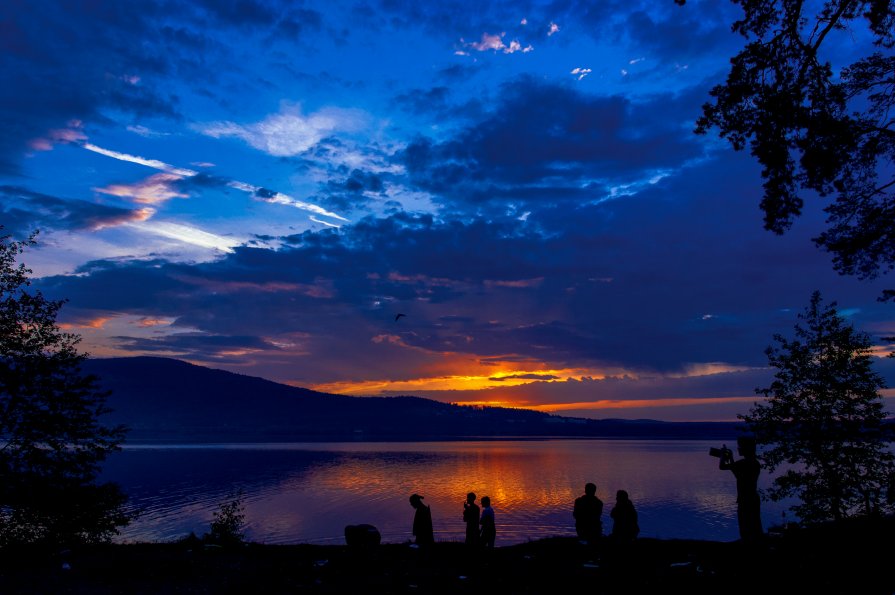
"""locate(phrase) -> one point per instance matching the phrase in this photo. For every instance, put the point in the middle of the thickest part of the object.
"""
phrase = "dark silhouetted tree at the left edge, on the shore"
(52, 441)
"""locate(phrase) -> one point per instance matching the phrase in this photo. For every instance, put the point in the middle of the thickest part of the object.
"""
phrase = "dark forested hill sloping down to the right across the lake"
(162, 399)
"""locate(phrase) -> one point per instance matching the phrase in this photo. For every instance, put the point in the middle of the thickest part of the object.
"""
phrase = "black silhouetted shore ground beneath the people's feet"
(857, 558)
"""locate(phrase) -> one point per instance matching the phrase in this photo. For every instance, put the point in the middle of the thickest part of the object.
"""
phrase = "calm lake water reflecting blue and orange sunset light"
(308, 492)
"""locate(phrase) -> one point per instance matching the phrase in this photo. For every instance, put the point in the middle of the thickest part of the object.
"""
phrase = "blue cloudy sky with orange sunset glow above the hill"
(263, 186)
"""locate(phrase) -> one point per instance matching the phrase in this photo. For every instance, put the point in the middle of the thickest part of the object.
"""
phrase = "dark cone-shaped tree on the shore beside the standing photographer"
(823, 420)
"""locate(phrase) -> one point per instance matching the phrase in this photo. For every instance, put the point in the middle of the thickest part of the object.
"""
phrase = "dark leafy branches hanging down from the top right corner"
(816, 127)
